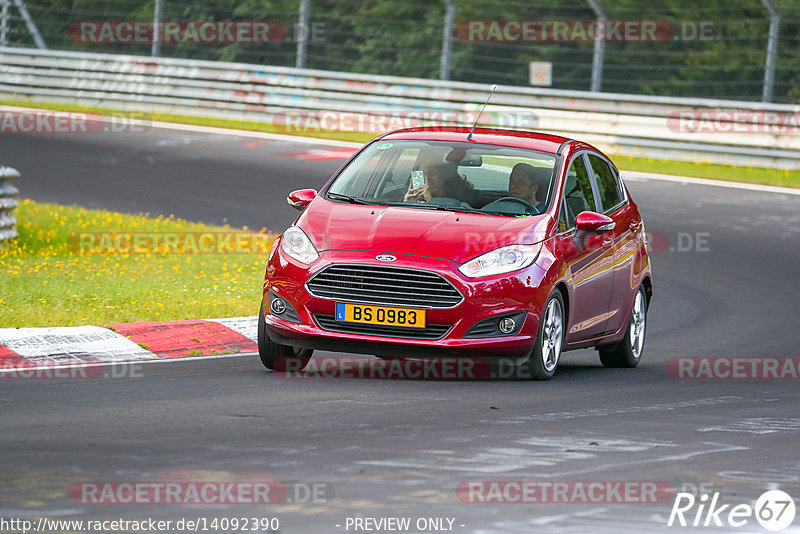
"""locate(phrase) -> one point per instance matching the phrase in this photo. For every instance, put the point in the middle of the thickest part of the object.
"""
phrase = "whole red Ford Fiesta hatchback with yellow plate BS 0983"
(441, 242)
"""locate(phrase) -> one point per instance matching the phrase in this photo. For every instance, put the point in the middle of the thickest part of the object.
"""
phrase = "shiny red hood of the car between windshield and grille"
(418, 231)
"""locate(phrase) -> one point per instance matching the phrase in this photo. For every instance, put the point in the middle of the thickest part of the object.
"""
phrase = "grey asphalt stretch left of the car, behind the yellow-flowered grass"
(216, 179)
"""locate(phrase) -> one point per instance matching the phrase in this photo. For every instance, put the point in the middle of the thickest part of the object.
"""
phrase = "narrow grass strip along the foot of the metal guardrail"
(755, 175)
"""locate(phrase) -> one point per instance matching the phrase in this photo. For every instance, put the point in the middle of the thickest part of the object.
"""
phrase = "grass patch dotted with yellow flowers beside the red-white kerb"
(49, 279)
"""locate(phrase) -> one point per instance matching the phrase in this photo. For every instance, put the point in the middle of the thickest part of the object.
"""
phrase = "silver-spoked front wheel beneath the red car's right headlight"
(546, 352)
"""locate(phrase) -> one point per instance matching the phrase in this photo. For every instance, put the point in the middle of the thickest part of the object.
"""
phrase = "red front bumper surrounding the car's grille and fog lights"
(483, 298)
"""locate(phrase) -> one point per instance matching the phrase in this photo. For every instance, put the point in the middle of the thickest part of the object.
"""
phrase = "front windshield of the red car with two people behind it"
(456, 176)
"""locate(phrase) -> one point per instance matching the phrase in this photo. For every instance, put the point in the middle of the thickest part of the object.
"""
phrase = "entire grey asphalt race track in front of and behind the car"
(399, 448)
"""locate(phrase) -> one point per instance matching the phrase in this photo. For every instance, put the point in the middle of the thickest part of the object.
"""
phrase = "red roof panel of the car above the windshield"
(492, 136)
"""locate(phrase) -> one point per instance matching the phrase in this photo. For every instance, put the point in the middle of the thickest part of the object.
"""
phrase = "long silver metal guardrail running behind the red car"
(619, 124)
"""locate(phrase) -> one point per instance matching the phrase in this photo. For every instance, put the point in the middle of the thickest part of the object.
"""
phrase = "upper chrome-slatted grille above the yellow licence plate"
(390, 286)
